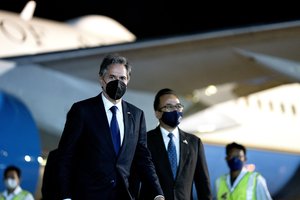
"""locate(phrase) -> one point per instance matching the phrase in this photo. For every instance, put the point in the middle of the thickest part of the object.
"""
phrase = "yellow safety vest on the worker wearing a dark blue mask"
(245, 189)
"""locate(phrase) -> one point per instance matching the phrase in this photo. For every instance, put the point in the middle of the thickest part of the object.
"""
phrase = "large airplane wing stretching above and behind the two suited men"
(191, 63)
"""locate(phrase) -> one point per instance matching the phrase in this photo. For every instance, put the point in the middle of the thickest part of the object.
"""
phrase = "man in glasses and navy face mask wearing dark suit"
(188, 154)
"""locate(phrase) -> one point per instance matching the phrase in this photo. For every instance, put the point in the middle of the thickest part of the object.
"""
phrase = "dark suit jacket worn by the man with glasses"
(192, 167)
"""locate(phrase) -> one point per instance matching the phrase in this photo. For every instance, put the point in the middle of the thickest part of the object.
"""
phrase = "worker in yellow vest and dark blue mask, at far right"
(240, 183)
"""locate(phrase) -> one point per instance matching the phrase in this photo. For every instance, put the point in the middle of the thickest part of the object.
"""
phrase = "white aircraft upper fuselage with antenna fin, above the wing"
(23, 34)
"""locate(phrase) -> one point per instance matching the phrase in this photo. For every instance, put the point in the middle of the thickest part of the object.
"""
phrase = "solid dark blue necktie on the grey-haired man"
(114, 128)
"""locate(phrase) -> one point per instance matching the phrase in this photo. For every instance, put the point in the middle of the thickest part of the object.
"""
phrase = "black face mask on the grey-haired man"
(116, 89)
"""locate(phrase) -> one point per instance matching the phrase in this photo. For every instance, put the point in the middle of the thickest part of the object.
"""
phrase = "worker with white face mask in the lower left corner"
(13, 191)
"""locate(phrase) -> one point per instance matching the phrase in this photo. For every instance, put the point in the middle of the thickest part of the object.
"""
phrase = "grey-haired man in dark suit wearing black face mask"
(99, 143)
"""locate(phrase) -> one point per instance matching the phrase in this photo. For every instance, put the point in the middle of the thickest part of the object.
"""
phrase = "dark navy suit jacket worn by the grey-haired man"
(88, 166)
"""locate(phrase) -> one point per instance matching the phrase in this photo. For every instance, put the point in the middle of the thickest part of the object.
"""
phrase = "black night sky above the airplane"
(160, 18)
